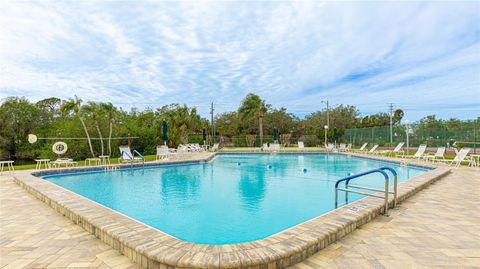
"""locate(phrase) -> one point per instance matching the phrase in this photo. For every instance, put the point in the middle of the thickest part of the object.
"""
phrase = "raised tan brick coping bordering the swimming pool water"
(152, 248)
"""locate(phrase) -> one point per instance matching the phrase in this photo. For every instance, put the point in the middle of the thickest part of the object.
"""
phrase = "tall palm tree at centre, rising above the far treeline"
(254, 106)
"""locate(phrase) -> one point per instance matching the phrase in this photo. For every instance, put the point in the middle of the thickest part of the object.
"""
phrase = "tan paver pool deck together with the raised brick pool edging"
(426, 231)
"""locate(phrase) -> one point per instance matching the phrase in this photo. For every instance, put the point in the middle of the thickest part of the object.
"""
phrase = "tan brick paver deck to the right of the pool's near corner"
(437, 228)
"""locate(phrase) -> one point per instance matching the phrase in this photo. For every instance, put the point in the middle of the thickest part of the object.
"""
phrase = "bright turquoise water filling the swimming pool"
(234, 198)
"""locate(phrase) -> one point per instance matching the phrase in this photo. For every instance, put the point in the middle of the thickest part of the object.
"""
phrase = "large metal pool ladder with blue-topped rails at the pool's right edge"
(347, 189)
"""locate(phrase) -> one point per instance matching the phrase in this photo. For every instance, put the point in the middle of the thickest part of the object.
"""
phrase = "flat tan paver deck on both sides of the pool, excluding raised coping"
(438, 227)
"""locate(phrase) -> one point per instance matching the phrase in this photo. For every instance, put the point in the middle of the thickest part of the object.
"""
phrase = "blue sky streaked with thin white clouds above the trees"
(422, 56)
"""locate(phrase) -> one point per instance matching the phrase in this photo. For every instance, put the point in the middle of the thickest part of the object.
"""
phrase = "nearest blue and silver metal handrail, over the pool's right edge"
(349, 178)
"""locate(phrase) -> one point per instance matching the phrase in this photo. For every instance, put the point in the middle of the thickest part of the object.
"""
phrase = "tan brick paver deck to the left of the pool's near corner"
(32, 235)
